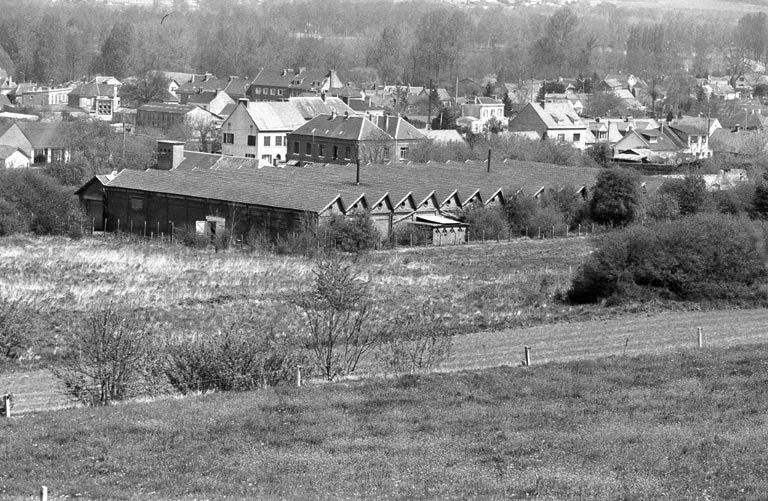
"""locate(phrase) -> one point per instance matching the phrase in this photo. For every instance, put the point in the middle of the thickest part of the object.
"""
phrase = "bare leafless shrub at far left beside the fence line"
(107, 355)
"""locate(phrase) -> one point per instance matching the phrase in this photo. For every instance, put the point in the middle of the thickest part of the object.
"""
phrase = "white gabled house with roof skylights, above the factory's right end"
(553, 123)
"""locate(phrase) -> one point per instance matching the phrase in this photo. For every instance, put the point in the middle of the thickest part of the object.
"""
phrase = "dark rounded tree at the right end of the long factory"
(616, 197)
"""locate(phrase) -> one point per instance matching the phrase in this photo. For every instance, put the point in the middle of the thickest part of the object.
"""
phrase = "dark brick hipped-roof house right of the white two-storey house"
(339, 139)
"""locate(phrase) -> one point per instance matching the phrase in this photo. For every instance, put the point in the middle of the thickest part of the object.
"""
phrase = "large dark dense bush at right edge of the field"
(702, 257)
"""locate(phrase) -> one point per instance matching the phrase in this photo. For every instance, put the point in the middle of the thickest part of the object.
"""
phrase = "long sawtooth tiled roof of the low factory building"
(313, 188)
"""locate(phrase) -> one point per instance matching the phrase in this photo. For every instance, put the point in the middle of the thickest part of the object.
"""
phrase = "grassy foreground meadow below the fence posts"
(689, 425)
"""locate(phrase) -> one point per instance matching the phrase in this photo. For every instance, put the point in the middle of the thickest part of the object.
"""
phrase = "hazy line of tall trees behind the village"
(408, 42)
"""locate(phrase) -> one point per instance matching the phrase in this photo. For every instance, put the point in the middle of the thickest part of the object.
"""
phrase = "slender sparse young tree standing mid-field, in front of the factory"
(337, 311)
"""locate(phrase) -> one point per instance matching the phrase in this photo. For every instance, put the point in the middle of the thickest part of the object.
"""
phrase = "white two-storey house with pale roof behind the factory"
(259, 130)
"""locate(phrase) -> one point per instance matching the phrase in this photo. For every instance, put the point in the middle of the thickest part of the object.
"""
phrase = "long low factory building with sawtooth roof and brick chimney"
(211, 192)
